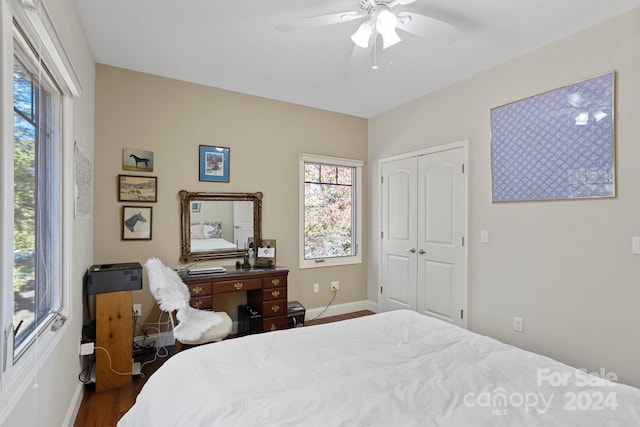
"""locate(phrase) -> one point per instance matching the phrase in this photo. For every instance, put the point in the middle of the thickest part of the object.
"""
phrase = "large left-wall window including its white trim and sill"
(36, 151)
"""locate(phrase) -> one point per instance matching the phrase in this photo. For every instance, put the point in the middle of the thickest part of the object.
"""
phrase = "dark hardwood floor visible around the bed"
(106, 408)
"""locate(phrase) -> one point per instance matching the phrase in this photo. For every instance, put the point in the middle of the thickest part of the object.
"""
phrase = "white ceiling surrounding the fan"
(234, 45)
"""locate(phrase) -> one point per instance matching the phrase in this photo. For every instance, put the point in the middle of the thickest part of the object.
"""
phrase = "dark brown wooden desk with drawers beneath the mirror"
(266, 291)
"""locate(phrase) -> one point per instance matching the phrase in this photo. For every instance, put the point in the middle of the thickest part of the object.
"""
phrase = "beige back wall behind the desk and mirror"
(172, 118)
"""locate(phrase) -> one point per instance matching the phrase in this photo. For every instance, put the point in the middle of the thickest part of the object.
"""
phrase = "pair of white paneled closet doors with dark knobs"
(423, 221)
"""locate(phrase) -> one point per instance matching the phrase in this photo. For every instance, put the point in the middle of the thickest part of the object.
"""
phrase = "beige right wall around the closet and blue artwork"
(565, 267)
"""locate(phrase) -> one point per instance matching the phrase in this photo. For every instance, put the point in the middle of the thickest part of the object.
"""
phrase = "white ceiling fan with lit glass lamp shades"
(381, 18)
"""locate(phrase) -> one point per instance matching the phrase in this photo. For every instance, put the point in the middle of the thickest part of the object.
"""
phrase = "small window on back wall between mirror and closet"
(330, 211)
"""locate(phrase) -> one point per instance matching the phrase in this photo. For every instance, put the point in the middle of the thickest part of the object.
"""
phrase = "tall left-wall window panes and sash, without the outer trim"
(37, 106)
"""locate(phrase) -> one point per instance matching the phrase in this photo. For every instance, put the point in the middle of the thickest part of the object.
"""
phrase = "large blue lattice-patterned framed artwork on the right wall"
(556, 145)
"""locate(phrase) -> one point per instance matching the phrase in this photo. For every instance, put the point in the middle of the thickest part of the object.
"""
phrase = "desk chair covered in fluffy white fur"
(190, 325)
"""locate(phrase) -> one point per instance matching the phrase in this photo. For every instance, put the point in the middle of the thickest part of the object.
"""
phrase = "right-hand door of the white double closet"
(441, 257)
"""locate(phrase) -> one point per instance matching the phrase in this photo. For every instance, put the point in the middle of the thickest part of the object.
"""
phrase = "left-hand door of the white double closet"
(399, 235)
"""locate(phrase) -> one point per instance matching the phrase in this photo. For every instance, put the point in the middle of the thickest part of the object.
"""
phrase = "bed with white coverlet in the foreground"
(397, 368)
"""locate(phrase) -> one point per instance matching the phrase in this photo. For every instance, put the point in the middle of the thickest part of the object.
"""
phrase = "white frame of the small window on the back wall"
(358, 165)
